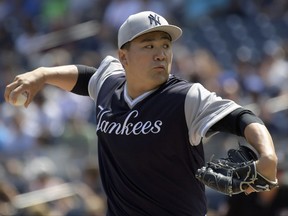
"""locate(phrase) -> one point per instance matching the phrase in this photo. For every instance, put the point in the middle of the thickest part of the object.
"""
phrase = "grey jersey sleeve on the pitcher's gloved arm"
(202, 110)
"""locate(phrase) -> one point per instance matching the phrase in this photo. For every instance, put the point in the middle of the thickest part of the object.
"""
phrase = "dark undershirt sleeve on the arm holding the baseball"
(84, 75)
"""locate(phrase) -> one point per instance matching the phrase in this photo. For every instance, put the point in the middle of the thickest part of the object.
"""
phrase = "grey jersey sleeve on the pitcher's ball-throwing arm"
(109, 66)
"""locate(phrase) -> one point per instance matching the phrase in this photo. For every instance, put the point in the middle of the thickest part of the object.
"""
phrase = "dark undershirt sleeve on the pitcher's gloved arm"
(236, 122)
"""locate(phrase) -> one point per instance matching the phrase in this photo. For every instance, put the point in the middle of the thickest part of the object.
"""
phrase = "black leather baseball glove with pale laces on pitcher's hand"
(234, 174)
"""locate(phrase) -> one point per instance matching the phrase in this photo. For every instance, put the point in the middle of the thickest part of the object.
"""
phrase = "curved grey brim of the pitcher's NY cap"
(174, 31)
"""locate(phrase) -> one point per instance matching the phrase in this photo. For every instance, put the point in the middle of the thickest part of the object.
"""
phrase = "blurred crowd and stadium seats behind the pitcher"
(236, 48)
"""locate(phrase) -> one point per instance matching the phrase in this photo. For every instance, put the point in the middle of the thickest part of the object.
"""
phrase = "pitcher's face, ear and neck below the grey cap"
(147, 62)
